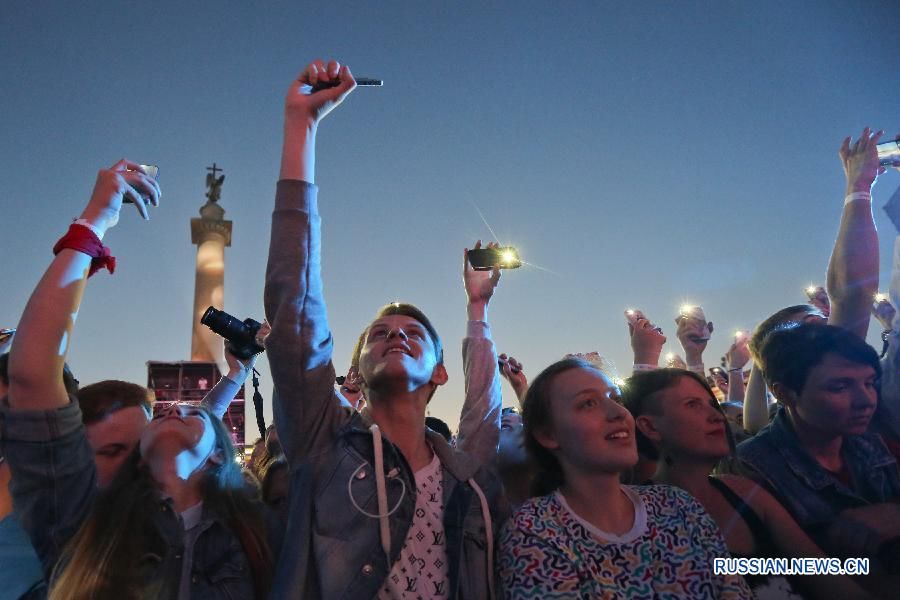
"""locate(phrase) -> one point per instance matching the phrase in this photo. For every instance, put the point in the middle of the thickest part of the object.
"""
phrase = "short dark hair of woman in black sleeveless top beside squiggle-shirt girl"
(640, 395)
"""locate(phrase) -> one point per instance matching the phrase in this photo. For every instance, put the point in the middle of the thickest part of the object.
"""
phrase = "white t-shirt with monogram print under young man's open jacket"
(421, 569)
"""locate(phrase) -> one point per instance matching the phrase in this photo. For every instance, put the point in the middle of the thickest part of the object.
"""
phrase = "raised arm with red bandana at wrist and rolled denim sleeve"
(53, 471)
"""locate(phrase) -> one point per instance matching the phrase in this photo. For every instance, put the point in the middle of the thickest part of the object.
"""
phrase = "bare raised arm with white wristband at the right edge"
(853, 268)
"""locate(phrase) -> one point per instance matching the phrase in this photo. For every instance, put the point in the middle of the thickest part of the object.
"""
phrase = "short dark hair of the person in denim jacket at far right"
(789, 353)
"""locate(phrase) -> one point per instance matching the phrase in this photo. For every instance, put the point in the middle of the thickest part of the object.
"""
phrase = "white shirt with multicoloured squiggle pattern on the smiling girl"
(547, 551)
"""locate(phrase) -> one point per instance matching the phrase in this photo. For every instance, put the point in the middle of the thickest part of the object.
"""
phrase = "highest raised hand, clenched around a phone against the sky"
(308, 102)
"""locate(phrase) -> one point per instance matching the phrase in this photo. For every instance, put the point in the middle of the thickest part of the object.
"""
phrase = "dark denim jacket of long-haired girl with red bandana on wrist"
(54, 484)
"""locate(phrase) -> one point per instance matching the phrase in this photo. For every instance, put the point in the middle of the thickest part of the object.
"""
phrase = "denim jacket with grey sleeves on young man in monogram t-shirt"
(332, 547)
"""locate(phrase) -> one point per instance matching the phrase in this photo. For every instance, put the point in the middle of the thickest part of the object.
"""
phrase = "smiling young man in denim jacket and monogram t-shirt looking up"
(379, 506)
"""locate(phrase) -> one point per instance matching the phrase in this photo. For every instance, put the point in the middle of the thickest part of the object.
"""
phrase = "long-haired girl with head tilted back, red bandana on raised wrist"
(177, 521)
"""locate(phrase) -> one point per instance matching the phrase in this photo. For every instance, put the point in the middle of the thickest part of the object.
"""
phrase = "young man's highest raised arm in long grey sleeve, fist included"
(300, 345)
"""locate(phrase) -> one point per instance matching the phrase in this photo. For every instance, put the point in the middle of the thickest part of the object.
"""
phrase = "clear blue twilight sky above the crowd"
(643, 154)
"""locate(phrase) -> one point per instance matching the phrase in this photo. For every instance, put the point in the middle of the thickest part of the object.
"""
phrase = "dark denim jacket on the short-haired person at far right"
(809, 492)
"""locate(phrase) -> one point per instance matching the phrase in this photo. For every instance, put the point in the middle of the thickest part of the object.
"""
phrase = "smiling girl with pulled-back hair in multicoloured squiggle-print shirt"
(589, 535)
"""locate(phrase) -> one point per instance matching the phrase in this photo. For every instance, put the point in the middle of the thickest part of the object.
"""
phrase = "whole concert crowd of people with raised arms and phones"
(588, 487)
